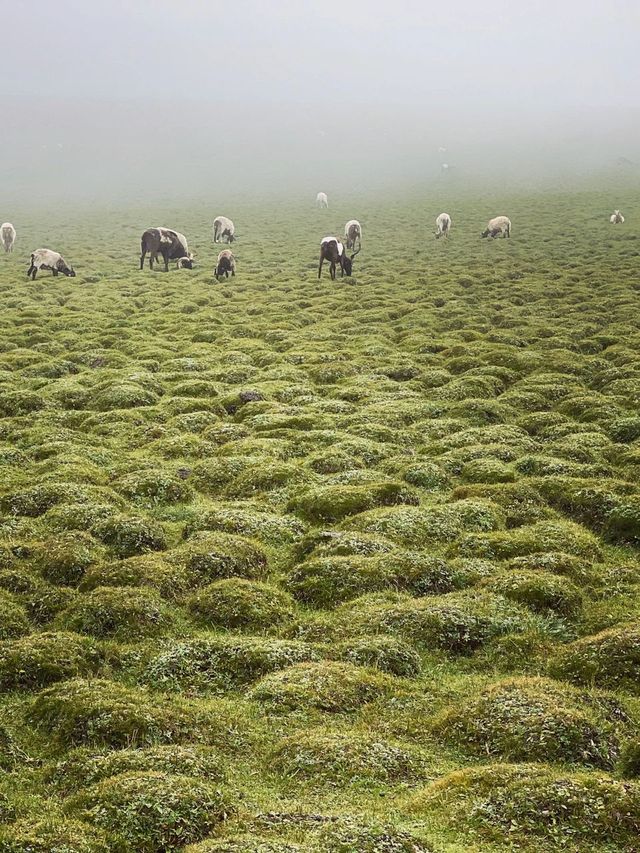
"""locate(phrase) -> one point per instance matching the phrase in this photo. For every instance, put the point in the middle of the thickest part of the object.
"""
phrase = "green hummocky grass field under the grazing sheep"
(294, 565)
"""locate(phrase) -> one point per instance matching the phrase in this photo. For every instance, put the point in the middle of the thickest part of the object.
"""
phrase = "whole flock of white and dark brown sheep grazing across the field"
(172, 245)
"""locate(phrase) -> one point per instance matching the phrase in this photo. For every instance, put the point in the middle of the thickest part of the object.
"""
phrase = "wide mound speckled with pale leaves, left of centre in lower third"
(220, 663)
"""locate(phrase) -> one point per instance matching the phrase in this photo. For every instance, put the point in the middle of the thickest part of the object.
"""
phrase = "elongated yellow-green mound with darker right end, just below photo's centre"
(333, 503)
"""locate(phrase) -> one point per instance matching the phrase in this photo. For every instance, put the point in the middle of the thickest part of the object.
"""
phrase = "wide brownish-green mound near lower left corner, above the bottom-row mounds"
(102, 713)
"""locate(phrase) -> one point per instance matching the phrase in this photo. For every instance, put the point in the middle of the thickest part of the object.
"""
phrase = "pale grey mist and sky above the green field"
(150, 100)
